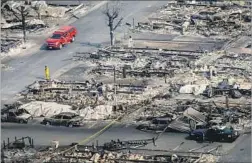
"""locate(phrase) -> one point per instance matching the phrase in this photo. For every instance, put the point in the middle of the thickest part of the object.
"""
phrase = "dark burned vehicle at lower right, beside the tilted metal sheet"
(215, 134)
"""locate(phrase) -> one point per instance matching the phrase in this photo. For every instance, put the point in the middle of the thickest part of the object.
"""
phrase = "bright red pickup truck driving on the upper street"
(61, 37)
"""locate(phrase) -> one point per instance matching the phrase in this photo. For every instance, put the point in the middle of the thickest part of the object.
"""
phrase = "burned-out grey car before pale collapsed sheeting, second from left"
(67, 119)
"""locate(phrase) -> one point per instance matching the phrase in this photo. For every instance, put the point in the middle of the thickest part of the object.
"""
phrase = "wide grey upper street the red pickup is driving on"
(92, 29)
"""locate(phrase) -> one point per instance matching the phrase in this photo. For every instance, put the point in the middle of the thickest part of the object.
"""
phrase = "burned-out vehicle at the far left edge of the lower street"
(15, 115)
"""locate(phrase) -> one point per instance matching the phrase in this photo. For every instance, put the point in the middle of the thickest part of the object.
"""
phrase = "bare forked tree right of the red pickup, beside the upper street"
(112, 13)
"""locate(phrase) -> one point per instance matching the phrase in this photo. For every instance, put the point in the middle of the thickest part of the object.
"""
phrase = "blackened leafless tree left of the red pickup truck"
(20, 13)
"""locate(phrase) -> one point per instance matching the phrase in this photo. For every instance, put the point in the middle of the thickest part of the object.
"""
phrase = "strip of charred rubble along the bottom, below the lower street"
(114, 151)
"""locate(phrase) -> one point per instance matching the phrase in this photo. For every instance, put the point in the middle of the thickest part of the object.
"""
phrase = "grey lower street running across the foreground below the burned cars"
(43, 135)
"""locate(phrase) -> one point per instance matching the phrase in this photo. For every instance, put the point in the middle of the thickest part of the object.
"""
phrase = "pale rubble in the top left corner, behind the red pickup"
(38, 15)
